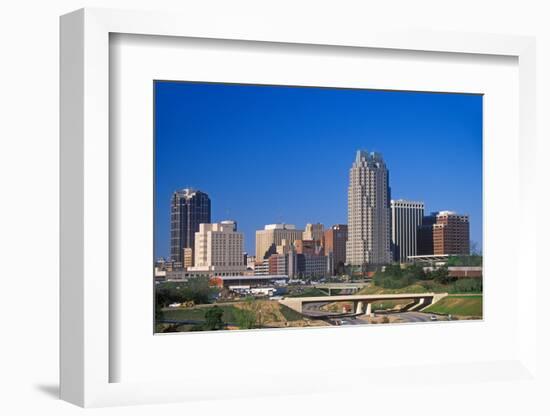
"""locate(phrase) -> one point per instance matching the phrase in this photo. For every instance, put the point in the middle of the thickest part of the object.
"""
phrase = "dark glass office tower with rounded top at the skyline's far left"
(188, 208)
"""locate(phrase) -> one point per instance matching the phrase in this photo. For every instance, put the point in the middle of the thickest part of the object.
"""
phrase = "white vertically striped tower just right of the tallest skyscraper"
(406, 218)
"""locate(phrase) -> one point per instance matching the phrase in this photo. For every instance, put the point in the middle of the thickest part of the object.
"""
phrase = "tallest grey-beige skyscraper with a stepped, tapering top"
(368, 242)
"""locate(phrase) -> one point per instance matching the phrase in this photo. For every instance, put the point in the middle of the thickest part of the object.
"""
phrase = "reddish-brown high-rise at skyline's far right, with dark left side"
(445, 233)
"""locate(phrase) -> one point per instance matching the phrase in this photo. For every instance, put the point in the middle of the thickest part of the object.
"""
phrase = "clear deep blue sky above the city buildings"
(268, 154)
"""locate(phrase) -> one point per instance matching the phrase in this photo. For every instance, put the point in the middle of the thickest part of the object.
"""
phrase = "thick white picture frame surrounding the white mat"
(86, 291)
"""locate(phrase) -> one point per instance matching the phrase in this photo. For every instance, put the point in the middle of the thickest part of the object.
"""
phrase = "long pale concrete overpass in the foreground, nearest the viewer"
(362, 304)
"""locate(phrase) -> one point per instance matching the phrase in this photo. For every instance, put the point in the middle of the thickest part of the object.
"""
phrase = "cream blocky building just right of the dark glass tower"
(219, 249)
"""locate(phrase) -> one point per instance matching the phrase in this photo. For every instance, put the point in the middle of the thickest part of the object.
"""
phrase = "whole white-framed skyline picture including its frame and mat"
(283, 206)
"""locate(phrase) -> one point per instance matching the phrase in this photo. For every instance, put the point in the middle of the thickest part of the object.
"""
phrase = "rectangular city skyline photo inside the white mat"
(261, 158)
